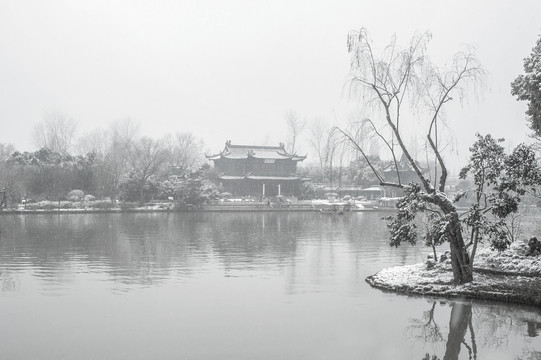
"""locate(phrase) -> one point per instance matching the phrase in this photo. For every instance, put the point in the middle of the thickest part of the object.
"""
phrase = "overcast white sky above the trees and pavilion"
(231, 69)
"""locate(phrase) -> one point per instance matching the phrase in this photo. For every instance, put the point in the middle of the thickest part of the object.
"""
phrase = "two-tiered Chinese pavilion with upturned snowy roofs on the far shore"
(257, 170)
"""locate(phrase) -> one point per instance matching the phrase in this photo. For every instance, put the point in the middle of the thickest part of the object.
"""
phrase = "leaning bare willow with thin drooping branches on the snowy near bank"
(393, 82)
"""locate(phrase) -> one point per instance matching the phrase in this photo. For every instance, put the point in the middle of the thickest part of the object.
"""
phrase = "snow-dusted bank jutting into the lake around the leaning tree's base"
(512, 275)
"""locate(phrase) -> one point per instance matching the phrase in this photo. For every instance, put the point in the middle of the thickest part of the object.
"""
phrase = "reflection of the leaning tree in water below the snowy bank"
(497, 327)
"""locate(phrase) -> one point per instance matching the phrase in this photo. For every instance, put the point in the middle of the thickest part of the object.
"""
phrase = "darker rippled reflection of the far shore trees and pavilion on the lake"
(148, 249)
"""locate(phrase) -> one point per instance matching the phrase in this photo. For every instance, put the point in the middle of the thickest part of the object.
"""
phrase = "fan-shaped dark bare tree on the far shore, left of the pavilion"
(146, 157)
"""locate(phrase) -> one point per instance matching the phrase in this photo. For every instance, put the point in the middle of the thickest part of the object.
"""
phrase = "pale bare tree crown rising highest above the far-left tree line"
(56, 132)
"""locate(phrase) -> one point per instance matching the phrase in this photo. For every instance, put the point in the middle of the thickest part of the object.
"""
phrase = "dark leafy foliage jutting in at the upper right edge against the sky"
(527, 87)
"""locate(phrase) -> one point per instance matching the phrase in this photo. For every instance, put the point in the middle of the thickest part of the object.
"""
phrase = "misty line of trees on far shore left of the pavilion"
(115, 164)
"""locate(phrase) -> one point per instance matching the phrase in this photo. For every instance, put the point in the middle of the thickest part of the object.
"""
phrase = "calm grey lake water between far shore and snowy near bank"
(231, 286)
